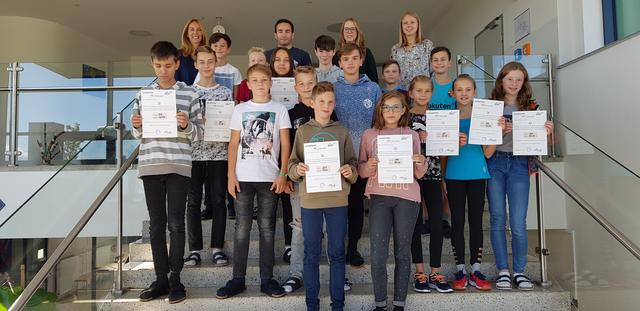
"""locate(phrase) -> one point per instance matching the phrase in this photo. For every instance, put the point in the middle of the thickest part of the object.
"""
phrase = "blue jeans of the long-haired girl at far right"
(509, 181)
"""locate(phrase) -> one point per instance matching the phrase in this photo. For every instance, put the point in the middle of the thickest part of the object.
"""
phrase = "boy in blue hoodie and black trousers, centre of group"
(356, 98)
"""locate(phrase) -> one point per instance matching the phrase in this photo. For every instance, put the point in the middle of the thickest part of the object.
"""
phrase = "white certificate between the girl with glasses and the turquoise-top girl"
(443, 132)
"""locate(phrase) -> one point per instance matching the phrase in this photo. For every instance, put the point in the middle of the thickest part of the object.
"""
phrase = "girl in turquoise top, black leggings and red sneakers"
(466, 177)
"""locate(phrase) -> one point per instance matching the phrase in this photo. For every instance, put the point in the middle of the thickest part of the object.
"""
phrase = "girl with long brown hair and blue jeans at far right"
(510, 179)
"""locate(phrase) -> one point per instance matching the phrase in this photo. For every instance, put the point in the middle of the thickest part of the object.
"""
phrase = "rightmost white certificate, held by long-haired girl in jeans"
(529, 133)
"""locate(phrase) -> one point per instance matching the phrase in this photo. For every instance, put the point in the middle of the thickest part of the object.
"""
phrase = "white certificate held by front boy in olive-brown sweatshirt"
(323, 160)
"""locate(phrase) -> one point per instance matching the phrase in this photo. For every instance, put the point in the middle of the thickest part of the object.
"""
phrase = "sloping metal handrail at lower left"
(53, 260)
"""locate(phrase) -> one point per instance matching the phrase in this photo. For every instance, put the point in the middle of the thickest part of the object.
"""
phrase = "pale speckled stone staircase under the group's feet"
(203, 281)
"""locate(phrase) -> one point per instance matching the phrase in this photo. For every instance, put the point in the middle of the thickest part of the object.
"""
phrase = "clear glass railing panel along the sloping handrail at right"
(585, 258)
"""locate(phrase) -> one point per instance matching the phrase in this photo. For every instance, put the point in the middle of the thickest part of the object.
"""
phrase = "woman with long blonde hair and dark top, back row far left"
(193, 36)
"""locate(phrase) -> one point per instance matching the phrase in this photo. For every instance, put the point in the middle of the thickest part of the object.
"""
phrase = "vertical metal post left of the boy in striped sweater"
(117, 281)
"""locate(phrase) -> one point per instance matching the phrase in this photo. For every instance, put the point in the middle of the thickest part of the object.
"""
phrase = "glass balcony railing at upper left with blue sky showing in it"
(67, 105)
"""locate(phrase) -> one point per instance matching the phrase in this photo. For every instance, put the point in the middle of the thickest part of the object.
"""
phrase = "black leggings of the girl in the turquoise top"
(471, 192)
